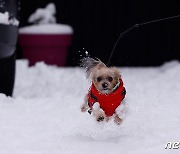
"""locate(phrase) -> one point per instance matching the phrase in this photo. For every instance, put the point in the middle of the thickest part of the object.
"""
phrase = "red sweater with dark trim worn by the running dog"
(108, 102)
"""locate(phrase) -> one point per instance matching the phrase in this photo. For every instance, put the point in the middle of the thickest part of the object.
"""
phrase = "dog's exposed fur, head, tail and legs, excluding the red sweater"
(104, 79)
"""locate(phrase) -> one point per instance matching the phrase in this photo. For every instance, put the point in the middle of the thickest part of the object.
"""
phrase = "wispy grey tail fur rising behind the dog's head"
(89, 64)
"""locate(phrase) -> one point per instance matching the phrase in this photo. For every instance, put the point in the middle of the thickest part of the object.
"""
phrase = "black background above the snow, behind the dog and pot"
(98, 23)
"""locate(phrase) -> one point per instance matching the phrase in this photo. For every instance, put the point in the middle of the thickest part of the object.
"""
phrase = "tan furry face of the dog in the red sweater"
(105, 79)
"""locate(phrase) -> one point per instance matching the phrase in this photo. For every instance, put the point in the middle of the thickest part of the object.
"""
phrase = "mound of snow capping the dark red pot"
(45, 22)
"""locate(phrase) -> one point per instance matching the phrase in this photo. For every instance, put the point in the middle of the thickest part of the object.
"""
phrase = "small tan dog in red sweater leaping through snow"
(106, 92)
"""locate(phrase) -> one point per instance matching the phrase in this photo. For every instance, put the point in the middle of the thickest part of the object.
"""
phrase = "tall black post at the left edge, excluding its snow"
(8, 39)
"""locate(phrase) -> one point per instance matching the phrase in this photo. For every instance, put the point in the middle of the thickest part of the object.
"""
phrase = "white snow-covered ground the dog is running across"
(44, 115)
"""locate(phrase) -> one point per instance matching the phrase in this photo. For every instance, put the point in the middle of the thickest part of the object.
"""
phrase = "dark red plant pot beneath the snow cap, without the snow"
(50, 48)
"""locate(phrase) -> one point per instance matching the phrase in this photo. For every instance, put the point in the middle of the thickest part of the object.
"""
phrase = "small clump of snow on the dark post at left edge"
(6, 19)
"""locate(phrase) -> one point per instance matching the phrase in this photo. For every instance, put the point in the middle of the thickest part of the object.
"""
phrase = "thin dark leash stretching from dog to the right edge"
(134, 27)
